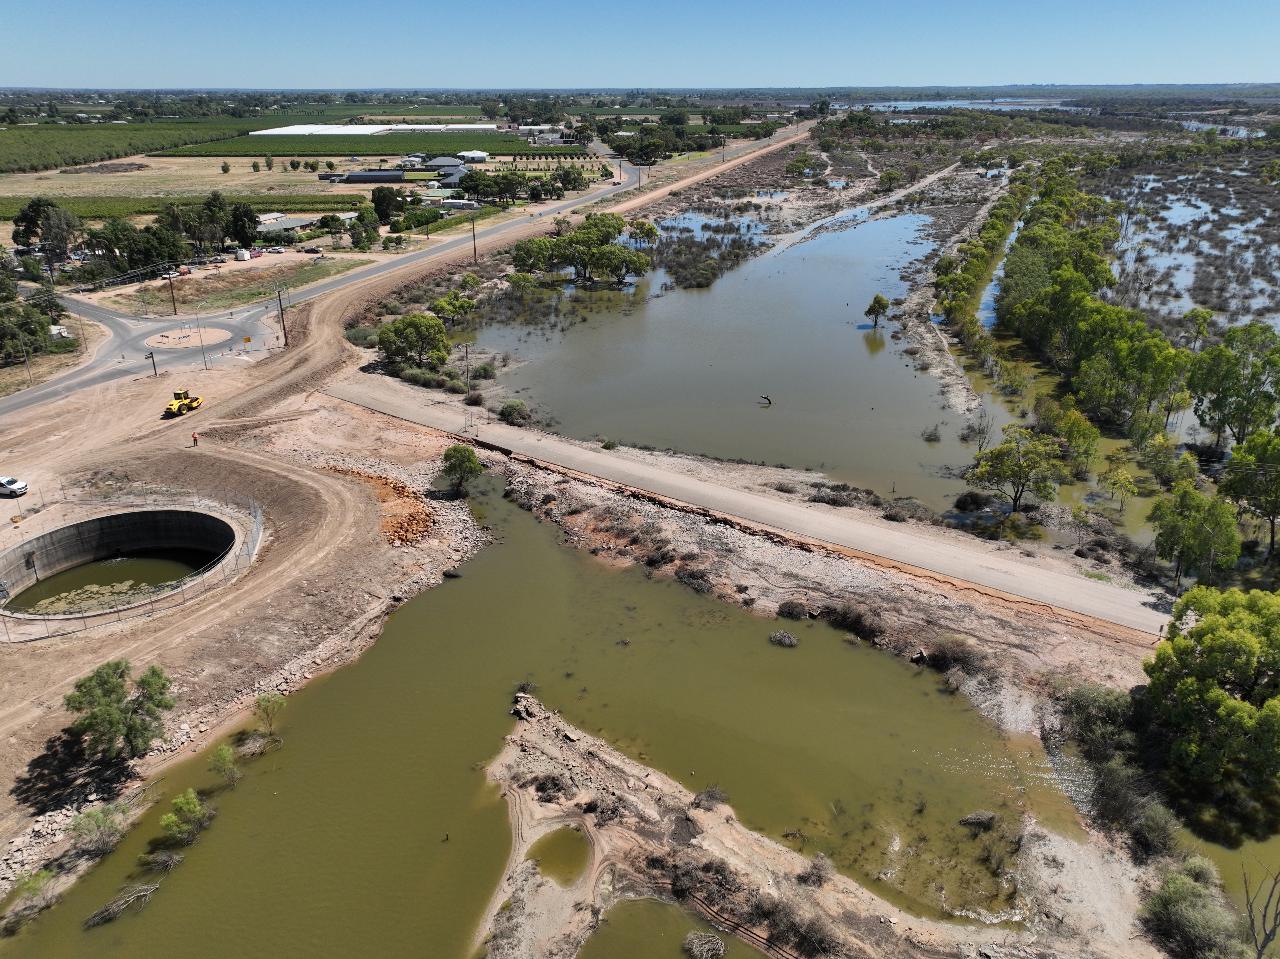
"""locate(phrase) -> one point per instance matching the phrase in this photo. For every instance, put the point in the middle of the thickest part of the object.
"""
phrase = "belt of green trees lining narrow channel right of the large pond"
(1122, 375)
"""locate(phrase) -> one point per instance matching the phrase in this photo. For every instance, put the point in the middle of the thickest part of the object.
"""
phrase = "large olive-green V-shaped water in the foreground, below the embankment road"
(373, 830)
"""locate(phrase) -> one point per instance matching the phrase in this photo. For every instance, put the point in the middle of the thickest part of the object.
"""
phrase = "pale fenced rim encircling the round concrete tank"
(145, 601)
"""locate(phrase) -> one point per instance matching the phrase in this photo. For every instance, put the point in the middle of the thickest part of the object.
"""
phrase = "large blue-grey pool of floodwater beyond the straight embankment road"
(687, 369)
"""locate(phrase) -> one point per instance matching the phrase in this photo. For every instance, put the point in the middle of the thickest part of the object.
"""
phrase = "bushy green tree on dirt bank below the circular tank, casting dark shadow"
(113, 723)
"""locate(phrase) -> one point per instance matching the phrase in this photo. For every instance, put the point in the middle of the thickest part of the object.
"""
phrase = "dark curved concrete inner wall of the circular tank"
(118, 536)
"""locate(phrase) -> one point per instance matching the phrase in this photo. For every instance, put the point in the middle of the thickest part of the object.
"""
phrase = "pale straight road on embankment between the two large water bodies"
(971, 563)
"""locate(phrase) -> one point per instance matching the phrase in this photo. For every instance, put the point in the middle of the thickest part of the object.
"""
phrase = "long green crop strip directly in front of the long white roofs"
(358, 145)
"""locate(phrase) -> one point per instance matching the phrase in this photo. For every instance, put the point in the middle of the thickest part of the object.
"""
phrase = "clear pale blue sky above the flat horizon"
(313, 44)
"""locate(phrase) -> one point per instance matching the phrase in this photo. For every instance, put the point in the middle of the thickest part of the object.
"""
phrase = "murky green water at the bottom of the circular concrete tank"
(90, 584)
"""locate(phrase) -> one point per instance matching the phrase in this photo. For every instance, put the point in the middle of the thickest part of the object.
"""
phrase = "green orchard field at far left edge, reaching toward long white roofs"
(48, 145)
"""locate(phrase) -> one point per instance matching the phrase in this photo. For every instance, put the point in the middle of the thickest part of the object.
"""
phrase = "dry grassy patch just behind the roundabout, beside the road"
(232, 289)
